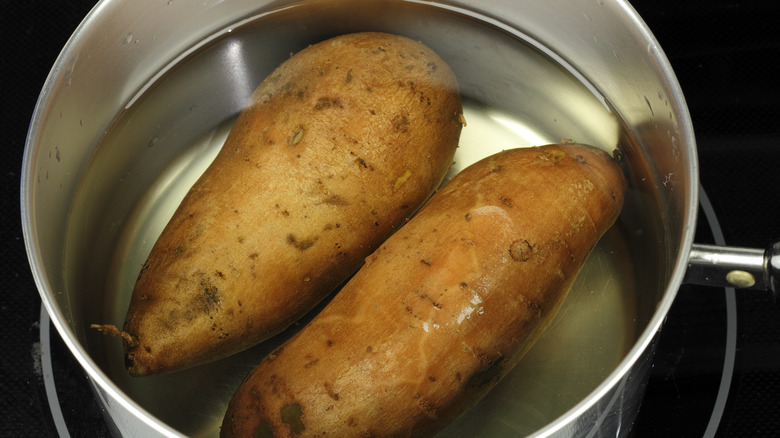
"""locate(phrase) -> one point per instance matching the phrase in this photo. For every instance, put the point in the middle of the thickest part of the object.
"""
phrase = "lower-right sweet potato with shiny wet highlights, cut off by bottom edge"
(444, 308)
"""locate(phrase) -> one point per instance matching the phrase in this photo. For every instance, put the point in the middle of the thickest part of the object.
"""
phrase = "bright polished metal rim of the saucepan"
(102, 383)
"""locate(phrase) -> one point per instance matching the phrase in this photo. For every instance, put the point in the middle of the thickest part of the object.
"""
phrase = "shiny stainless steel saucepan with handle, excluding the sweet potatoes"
(144, 92)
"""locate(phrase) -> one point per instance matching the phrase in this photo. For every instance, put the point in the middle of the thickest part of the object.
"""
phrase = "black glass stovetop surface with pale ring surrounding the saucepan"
(717, 368)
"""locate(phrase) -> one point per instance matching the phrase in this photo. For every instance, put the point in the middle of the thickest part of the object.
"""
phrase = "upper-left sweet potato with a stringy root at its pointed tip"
(340, 144)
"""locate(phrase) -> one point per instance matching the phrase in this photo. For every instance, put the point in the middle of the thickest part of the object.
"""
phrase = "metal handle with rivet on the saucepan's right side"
(745, 268)
